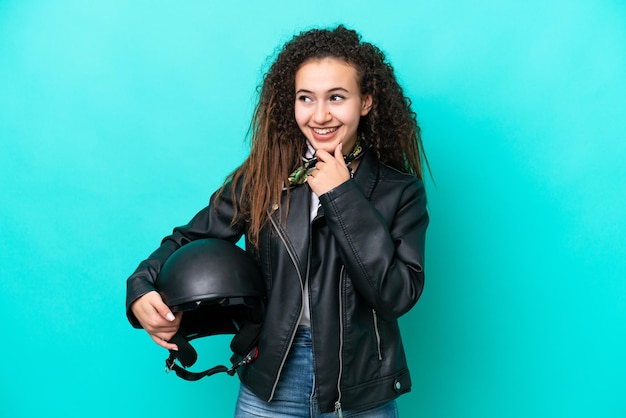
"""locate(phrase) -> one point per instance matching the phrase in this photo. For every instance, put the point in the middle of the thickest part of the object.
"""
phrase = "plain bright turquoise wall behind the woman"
(119, 118)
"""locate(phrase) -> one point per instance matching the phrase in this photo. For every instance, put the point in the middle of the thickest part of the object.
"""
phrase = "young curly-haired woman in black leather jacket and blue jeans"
(339, 239)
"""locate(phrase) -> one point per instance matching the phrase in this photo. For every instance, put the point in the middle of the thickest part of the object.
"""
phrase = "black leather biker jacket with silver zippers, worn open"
(363, 255)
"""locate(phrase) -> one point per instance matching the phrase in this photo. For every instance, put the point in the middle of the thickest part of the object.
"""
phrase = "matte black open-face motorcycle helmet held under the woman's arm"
(220, 290)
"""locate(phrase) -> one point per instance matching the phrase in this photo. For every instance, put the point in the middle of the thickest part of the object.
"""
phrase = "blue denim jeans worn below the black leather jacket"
(295, 395)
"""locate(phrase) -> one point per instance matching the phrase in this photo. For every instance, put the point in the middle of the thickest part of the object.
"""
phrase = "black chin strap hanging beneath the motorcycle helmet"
(243, 345)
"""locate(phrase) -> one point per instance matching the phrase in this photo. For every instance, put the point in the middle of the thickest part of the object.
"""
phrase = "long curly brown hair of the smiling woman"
(277, 143)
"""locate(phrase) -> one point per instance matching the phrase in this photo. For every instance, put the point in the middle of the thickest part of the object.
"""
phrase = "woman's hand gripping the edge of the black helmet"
(157, 319)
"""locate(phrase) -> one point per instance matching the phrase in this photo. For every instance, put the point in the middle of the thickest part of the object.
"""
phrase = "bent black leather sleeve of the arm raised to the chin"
(384, 257)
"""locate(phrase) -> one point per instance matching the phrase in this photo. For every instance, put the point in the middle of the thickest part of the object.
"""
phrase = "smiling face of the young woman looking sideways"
(329, 103)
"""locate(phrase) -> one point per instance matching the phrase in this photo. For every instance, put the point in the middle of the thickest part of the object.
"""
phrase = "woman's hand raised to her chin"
(330, 171)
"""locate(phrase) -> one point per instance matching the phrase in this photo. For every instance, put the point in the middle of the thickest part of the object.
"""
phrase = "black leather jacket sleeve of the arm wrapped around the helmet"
(214, 221)
